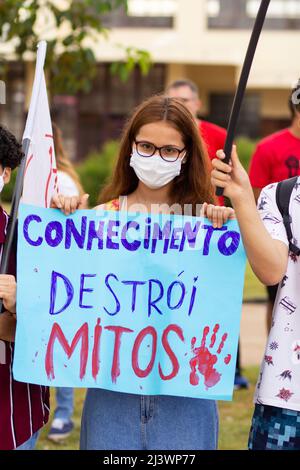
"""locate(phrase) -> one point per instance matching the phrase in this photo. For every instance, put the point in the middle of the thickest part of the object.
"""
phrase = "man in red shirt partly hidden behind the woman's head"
(214, 138)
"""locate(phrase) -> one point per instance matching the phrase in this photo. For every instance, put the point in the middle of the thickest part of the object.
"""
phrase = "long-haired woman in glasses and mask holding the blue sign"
(162, 164)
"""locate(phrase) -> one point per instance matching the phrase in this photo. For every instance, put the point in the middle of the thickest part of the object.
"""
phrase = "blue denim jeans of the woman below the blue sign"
(121, 421)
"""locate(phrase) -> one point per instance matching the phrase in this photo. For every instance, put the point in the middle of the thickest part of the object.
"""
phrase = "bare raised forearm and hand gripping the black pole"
(268, 257)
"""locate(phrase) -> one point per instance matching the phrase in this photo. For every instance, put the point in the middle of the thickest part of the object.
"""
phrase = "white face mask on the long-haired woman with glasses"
(153, 171)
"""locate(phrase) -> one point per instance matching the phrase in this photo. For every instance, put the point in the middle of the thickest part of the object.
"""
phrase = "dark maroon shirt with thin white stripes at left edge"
(24, 408)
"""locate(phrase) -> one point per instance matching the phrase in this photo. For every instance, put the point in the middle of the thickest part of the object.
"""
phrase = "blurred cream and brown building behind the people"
(203, 40)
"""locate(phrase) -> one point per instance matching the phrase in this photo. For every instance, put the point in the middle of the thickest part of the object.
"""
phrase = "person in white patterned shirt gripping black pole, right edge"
(276, 418)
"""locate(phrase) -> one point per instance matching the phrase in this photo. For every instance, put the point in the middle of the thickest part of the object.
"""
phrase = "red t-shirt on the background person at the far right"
(276, 158)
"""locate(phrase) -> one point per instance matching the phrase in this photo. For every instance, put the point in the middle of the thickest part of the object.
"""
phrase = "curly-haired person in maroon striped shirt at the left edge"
(24, 408)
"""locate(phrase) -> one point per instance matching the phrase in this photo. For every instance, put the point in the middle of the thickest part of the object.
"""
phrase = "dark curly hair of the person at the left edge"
(11, 152)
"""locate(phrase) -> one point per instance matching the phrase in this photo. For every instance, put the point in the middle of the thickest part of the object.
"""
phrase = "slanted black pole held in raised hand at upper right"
(240, 92)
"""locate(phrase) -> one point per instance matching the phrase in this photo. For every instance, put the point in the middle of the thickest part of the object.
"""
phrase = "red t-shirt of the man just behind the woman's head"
(214, 138)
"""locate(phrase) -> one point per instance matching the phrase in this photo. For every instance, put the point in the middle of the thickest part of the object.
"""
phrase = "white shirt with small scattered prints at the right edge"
(279, 382)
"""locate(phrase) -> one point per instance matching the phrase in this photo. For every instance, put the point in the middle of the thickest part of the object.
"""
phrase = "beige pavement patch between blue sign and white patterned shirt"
(253, 334)
